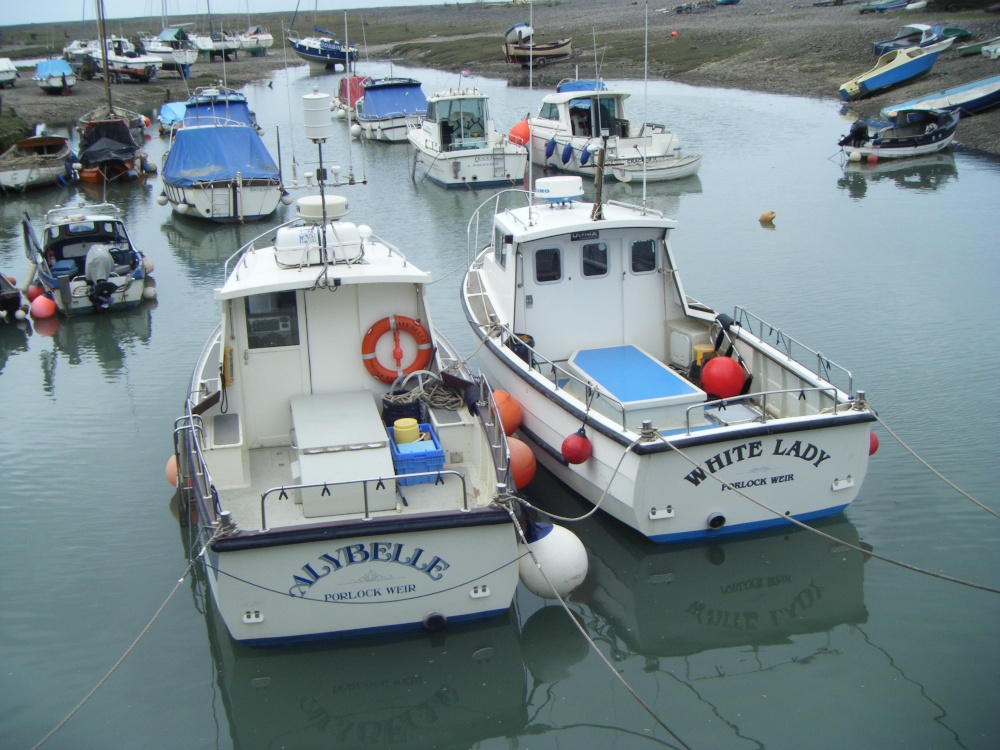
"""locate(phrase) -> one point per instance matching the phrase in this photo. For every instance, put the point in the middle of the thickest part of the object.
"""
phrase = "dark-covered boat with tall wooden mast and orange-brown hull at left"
(108, 148)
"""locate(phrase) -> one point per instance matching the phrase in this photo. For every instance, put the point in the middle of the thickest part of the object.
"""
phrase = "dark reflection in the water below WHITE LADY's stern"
(683, 600)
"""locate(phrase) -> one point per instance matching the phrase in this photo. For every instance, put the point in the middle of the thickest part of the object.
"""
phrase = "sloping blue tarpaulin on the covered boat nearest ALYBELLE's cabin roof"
(217, 153)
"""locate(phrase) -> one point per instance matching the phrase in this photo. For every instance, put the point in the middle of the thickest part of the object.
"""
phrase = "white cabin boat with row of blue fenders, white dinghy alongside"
(583, 116)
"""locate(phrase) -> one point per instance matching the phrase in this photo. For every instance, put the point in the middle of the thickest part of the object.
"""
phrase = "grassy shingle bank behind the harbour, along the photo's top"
(776, 46)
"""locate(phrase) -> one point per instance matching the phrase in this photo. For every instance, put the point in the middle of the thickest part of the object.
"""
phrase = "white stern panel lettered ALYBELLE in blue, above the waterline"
(370, 577)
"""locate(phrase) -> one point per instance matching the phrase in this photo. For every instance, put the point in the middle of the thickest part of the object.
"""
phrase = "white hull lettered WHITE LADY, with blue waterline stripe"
(670, 497)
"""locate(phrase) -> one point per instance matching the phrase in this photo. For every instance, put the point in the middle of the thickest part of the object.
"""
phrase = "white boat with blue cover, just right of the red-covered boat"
(389, 109)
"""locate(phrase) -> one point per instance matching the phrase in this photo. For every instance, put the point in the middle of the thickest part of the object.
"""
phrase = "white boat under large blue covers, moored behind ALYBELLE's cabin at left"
(217, 167)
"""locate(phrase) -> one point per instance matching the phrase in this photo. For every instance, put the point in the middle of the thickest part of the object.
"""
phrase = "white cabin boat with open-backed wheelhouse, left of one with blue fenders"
(458, 145)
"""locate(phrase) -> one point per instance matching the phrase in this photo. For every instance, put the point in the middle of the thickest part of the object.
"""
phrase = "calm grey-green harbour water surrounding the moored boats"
(777, 641)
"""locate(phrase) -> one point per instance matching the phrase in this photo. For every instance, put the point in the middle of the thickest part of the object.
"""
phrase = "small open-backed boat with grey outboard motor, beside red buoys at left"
(86, 261)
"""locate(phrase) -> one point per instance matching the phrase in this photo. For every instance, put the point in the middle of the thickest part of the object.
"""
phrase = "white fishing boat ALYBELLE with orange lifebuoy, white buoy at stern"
(346, 472)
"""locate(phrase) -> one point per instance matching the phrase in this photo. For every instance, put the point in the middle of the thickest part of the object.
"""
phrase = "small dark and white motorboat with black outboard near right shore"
(913, 132)
